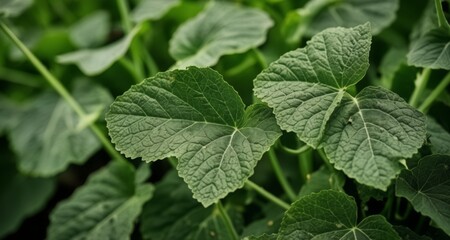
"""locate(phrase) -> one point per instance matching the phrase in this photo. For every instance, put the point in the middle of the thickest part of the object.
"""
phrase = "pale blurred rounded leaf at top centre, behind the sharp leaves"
(222, 28)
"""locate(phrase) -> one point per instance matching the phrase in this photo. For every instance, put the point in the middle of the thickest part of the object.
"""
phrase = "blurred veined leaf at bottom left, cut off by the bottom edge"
(105, 207)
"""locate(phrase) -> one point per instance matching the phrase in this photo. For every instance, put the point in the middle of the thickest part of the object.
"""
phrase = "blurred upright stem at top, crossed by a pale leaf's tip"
(135, 44)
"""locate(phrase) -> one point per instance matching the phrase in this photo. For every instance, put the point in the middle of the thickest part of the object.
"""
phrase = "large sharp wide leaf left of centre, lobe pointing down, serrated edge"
(197, 117)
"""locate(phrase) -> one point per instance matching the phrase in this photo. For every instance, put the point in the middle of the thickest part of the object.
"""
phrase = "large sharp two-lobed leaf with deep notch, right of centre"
(363, 135)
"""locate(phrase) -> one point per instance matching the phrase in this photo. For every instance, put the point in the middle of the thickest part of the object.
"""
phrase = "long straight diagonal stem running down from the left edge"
(55, 83)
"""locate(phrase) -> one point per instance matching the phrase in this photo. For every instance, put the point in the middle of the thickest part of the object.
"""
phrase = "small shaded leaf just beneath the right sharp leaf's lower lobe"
(322, 179)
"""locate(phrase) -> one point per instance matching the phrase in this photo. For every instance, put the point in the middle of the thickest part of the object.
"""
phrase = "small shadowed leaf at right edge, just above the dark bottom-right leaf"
(439, 137)
